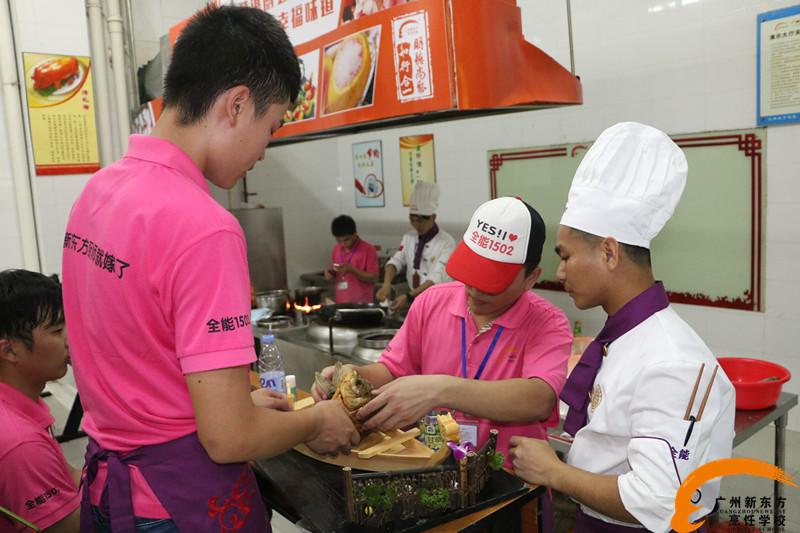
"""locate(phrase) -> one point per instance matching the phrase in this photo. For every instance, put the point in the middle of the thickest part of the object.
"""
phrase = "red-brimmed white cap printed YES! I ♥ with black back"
(502, 235)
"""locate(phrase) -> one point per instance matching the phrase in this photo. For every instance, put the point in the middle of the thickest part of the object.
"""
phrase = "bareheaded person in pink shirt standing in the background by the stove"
(354, 263)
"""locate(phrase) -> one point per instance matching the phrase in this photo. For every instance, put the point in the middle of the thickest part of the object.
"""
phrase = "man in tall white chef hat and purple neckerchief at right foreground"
(638, 433)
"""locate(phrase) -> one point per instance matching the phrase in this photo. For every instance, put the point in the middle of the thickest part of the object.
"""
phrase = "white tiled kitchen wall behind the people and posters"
(681, 65)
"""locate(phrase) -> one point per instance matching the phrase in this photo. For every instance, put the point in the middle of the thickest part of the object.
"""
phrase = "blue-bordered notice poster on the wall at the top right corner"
(778, 66)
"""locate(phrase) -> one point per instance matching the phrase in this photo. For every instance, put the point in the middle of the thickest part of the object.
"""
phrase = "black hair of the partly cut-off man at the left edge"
(28, 300)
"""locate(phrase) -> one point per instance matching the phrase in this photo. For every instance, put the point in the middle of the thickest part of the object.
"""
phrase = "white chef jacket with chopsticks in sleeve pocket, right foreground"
(636, 429)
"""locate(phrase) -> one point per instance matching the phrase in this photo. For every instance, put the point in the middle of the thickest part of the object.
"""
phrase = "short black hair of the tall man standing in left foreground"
(224, 47)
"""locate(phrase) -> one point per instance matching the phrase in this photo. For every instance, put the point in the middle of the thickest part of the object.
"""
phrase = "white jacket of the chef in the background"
(434, 257)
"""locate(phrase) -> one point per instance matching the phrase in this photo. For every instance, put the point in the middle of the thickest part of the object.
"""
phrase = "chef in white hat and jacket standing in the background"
(423, 252)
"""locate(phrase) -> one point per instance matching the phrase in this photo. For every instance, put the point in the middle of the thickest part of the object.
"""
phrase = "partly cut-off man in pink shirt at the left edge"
(37, 485)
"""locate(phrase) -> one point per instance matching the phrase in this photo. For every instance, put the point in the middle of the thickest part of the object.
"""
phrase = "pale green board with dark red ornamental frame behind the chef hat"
(709, 253)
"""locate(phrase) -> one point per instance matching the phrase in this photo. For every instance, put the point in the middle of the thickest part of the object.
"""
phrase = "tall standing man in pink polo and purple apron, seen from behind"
(156, 294)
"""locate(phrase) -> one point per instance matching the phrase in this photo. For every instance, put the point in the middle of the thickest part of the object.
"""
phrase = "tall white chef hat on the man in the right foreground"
(627, 185)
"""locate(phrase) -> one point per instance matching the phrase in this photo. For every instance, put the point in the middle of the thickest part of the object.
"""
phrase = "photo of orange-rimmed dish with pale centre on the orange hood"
(348, 71)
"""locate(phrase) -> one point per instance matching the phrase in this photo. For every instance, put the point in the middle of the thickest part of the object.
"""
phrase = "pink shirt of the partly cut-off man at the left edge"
(35, 482)
